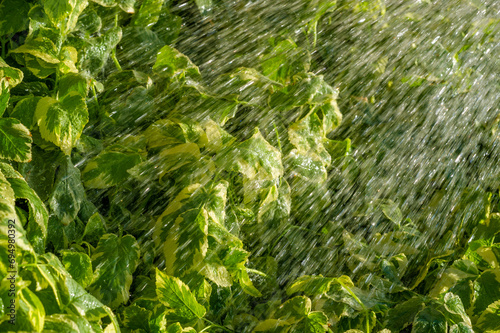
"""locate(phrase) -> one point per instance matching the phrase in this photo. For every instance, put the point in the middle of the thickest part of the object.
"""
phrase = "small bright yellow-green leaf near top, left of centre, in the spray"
(173, 63)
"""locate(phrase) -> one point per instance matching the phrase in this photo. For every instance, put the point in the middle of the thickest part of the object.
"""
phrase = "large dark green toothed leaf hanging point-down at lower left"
(114, 261)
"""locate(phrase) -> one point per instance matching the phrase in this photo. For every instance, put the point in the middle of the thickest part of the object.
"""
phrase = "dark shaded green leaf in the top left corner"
(13, 21)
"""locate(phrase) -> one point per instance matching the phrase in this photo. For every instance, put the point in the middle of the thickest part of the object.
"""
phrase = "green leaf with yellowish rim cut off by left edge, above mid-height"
(15, 140)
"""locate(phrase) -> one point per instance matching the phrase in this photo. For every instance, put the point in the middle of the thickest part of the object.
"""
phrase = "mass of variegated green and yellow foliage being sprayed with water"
(140, 192)
